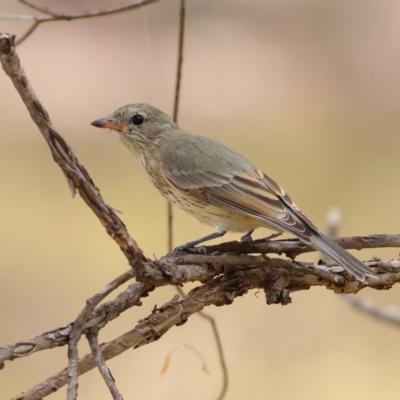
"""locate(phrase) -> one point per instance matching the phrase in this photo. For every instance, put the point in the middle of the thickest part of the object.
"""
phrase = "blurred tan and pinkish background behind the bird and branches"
(307, 90)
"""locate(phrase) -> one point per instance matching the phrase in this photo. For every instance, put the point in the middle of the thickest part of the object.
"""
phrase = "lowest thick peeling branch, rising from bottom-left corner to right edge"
(277, 283)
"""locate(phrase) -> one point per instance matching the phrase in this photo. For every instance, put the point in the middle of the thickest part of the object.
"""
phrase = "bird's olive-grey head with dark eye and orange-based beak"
(139, 126)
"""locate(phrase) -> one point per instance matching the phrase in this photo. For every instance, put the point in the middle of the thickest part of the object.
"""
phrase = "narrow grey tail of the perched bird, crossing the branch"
(327, 246)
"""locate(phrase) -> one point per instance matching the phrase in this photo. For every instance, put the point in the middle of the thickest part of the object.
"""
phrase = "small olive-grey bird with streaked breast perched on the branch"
(215, 184)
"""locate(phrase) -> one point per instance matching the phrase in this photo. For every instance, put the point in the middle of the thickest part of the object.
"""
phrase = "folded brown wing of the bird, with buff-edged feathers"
(250, 193)
